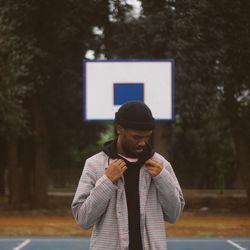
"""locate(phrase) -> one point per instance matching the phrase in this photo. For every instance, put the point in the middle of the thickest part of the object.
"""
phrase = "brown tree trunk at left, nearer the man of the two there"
(40, 195)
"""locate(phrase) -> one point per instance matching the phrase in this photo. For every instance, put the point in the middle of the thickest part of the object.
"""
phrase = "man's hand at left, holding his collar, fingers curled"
(115, 170)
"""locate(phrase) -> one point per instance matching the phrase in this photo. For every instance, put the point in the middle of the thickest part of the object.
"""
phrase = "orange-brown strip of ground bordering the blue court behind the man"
(189, 225)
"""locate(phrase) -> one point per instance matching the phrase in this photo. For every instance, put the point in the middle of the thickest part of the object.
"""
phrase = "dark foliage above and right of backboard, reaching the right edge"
(211, 83)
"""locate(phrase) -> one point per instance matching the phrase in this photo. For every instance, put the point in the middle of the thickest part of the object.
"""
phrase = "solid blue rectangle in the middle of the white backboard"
(125, 92)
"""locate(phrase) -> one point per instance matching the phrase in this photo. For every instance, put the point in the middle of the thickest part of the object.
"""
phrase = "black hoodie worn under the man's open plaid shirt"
(131, 178)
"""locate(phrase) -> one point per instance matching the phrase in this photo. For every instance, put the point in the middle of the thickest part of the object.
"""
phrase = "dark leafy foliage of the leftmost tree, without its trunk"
(16, 54)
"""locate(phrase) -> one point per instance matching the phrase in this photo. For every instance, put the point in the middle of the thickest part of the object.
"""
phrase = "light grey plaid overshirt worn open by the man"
(101, 204)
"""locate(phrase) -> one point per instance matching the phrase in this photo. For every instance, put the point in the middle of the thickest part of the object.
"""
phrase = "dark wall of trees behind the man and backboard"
(43, 141)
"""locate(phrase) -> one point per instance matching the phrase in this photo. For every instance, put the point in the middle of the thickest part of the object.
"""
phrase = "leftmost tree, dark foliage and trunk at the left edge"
(17, 54)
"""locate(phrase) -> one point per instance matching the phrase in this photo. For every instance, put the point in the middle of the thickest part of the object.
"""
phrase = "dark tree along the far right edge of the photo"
(233, 77)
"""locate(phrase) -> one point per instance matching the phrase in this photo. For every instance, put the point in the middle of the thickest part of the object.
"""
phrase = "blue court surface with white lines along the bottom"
(77, 243)
